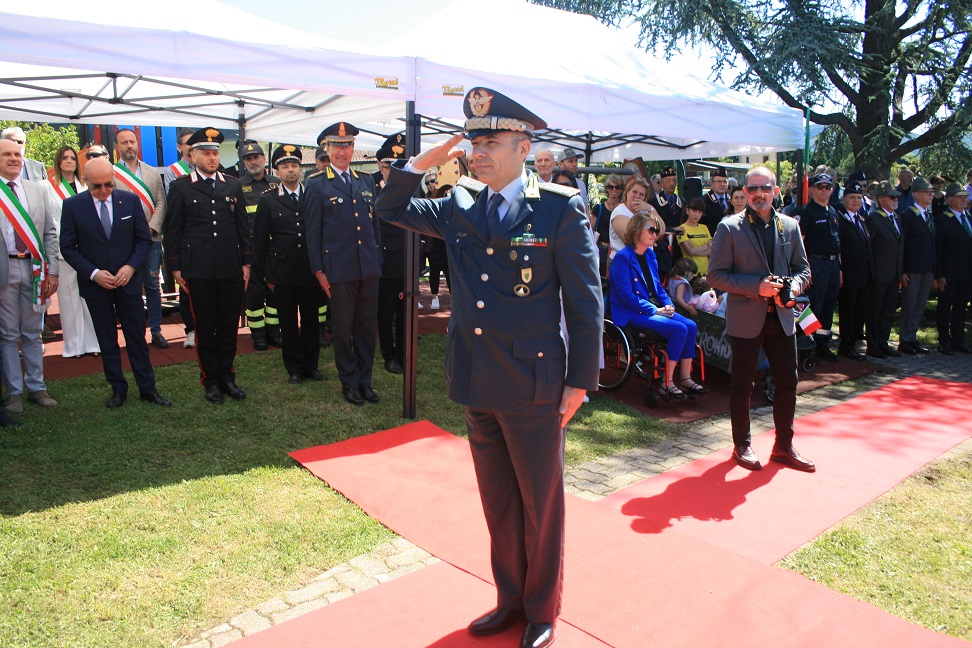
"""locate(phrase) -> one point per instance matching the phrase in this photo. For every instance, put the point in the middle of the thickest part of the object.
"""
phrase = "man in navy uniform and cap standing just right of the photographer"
(821, 240)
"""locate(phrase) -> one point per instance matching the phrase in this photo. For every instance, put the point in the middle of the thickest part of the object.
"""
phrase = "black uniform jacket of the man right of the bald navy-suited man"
(206, 235)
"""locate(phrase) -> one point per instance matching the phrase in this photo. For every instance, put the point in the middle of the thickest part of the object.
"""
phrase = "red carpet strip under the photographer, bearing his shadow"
(862, 448)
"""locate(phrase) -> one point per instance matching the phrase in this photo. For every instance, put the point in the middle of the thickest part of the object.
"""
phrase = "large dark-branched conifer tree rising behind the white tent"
(894, 77)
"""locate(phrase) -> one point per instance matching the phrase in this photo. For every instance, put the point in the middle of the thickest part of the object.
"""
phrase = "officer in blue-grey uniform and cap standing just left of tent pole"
(345, 256)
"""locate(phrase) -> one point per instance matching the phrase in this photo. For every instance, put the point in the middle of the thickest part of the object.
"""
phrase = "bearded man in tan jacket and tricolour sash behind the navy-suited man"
(146, 183)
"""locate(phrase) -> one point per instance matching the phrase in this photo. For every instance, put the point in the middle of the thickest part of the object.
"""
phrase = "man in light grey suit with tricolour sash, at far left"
(31, 250)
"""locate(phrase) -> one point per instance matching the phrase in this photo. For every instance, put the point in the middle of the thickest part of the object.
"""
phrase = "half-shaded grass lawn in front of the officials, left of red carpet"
(138, 526)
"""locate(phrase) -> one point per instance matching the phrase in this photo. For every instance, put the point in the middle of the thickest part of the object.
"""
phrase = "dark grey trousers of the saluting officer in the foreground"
(519, 463)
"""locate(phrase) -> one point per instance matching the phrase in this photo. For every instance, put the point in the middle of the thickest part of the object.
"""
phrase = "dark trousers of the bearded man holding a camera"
(780, 350)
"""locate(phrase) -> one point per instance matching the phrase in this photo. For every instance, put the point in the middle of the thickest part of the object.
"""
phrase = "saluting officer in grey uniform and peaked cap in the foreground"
(520, 253)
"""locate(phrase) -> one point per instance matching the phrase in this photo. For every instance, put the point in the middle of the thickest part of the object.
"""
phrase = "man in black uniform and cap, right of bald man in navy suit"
(208, 251)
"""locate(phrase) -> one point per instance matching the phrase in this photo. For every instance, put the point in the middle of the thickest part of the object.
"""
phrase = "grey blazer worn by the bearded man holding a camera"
(737, 265)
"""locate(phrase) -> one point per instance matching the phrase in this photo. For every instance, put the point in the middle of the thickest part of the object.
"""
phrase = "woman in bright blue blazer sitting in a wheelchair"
(638, 299)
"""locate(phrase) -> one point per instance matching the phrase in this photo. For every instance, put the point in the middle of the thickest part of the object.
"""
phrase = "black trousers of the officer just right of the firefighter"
(301, 349)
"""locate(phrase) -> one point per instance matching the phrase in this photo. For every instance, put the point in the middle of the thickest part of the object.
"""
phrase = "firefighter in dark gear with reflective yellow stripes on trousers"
(261, 311)
